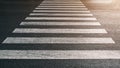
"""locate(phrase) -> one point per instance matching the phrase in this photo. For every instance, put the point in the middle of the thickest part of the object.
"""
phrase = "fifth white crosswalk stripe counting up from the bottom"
(60, 18)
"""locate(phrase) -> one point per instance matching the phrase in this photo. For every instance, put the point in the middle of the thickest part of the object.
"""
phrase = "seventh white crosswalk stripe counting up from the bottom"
(60, 11)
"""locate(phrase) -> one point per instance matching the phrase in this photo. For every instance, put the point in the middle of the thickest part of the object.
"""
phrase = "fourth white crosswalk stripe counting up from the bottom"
(61, 23)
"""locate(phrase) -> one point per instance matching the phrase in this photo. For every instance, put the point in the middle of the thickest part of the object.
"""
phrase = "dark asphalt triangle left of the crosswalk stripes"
(12, 13)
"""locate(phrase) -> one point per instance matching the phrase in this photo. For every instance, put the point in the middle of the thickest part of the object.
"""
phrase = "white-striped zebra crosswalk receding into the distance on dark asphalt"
(60, 14)
